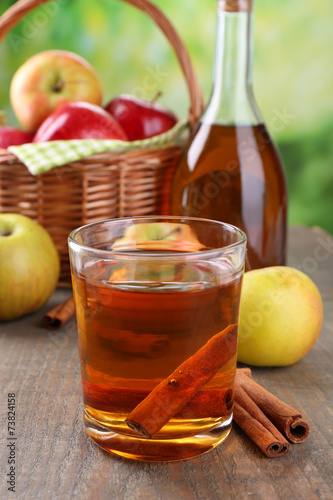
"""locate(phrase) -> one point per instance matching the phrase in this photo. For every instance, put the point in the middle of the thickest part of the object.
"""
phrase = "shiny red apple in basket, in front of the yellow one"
(79, 120)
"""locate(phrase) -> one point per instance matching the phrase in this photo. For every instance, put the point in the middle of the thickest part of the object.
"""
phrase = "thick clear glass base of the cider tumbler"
(157, 449)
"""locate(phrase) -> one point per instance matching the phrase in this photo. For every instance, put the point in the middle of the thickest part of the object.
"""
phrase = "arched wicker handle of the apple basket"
(17, 11)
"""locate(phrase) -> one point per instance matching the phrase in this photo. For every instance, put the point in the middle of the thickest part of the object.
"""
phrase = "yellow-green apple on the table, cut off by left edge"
(29, 266)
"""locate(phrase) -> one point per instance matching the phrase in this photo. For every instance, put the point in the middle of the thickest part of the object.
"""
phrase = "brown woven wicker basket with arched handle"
(101, 186)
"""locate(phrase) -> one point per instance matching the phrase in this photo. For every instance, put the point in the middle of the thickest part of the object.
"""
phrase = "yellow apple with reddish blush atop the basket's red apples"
(48, 80)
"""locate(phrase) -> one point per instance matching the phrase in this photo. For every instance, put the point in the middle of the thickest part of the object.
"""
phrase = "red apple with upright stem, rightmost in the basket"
(139, 118)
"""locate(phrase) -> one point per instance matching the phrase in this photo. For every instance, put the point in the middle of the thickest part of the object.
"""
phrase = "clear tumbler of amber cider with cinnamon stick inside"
(157, 306)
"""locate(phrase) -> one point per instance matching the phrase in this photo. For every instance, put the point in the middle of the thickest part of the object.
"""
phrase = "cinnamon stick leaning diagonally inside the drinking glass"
(172, 394)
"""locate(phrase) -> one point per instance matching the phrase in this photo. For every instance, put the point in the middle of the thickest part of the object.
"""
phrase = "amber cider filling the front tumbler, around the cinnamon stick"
(133, 334)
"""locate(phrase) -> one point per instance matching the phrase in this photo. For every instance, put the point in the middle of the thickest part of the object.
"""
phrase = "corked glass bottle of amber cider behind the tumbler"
(230, 170)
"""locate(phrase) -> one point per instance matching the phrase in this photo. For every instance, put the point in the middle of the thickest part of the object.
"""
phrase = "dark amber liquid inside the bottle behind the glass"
(234, 174)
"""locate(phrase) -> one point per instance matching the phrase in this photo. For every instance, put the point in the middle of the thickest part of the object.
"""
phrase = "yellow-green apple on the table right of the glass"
(281, 315)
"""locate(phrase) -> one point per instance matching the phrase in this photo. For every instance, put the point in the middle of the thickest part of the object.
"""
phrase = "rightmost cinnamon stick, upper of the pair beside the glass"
(288, 420)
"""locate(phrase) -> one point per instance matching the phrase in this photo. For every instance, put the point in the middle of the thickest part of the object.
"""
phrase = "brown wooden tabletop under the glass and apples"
(56, 460)
